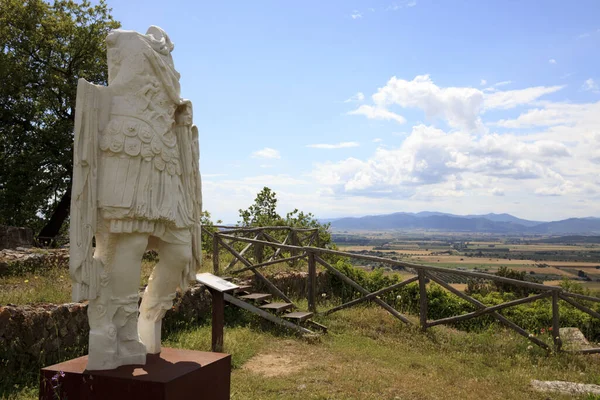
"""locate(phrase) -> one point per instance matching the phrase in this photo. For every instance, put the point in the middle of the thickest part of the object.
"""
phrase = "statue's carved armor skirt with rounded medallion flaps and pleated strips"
(140, 180)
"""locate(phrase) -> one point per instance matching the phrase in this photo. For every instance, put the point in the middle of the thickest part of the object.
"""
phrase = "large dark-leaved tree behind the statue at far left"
(46, 48)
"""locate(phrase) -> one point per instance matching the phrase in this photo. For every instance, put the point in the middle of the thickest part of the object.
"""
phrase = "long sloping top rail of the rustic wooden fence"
(417, 267)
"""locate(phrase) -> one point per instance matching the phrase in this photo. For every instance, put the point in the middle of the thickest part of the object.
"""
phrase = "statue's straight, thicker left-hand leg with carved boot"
(114, 339)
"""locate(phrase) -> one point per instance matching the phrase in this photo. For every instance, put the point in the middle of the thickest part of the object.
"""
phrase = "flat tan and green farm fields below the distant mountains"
(545, 262)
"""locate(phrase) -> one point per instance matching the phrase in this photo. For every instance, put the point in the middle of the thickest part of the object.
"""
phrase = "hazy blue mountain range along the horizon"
(485, 223)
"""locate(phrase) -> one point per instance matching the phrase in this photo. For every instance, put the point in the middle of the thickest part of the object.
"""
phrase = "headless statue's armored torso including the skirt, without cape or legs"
(139, 145)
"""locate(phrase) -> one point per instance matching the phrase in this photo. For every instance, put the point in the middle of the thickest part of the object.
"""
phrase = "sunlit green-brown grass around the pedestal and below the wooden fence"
(369, 355)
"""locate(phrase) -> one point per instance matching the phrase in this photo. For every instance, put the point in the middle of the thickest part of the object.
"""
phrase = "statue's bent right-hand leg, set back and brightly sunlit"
(160, 292)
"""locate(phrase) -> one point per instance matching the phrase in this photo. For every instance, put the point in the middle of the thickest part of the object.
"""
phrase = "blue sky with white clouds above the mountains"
(351, 108)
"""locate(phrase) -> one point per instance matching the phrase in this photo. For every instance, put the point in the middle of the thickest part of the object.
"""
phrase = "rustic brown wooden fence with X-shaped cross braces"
(302, 244)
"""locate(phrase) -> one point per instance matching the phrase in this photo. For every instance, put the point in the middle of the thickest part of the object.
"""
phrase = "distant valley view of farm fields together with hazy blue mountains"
(548, 252)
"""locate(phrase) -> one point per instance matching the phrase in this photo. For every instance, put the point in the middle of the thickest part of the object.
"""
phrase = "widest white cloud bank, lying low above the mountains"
(434, 158)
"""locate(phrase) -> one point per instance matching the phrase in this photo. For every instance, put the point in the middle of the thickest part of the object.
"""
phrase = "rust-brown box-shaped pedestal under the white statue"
(172, 374)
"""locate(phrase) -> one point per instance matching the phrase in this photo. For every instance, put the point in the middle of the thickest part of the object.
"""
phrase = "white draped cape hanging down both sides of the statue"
(91, 117)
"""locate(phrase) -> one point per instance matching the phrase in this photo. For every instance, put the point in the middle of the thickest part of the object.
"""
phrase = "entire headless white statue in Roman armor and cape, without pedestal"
(136, 186)
